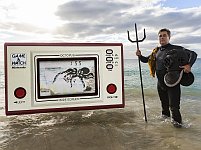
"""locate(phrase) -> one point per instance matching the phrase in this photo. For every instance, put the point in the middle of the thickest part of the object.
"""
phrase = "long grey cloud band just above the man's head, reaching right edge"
(155, 18)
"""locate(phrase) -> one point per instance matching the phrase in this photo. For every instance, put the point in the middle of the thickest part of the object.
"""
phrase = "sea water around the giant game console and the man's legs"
(109, 129)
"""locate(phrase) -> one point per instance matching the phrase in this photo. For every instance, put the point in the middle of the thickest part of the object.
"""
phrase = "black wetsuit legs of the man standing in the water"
(170, 100)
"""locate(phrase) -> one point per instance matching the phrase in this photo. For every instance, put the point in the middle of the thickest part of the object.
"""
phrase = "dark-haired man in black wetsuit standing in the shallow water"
(169, 96)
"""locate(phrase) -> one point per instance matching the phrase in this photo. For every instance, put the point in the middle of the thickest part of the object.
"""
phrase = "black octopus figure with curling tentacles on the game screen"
(83, 73)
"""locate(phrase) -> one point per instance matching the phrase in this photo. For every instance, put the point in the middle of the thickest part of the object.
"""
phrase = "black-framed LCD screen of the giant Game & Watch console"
(66, 77)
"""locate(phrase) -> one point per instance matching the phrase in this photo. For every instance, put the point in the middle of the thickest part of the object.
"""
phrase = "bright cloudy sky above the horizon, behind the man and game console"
(104, 21)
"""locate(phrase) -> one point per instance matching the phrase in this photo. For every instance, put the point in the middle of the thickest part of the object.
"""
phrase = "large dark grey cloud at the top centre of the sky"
(89, 10)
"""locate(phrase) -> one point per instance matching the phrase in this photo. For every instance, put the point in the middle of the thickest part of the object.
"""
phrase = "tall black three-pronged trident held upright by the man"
(137, 41)
